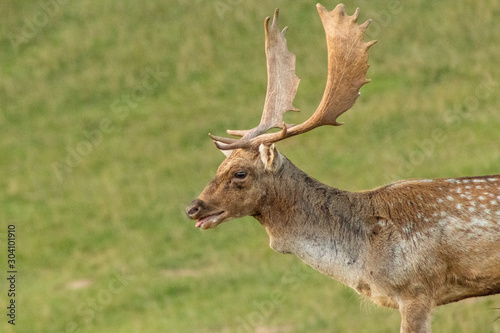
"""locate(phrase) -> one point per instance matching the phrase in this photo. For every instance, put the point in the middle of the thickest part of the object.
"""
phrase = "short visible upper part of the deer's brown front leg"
(415, 316)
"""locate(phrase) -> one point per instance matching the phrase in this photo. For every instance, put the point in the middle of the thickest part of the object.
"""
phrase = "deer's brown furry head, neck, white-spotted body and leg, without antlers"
(411, 245)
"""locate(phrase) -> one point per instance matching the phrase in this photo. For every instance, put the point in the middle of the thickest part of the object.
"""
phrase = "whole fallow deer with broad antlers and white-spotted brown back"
(411, 245)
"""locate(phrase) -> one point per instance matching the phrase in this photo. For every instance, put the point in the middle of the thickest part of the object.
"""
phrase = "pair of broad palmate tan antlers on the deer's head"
(347, 67)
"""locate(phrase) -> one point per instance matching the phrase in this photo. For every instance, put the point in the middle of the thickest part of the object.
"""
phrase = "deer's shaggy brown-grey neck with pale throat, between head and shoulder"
(315, 222)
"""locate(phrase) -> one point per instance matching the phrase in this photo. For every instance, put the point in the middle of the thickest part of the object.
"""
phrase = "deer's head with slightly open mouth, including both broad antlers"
(246, 176)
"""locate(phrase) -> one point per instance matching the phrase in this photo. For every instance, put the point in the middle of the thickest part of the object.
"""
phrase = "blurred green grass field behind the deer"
(104, 112)
